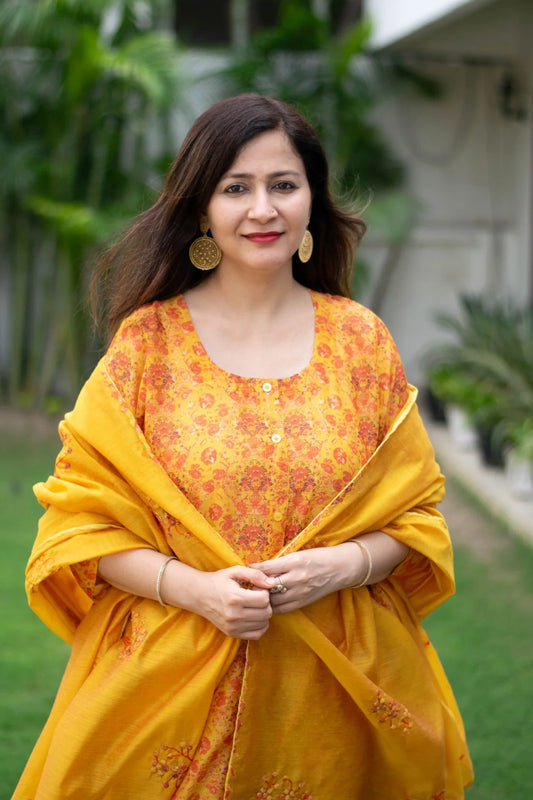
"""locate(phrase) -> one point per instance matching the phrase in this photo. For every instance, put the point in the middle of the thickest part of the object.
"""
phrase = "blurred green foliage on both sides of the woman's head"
(88, 92)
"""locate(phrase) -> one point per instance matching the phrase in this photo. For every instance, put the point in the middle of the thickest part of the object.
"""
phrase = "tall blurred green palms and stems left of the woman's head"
(82, 87)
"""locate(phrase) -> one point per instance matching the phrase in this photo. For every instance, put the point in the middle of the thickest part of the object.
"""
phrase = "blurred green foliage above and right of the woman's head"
(325, 72)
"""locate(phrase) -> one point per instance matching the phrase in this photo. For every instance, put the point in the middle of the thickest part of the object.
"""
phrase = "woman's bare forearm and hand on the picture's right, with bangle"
(311, 574)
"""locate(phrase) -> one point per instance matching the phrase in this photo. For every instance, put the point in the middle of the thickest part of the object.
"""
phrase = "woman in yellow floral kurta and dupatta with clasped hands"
(241, 534)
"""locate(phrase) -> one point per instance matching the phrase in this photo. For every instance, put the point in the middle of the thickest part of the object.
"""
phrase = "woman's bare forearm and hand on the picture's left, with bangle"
(220, 597)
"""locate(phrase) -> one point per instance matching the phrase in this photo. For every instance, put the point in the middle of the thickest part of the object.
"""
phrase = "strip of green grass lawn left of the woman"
(32, 658)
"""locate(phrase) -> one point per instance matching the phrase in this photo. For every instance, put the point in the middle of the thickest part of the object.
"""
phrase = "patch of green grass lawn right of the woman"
(484, 637)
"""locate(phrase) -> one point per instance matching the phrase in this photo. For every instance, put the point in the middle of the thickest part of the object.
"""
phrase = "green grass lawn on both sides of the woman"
(483, 635)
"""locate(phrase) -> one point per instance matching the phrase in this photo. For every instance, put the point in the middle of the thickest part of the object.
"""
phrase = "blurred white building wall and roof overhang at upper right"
(469, 157)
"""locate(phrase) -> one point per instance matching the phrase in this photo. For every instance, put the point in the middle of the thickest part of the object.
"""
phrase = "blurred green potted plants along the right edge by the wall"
(480, 382)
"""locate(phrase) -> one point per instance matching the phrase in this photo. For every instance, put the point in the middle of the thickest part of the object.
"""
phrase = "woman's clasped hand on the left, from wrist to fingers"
(236, 600)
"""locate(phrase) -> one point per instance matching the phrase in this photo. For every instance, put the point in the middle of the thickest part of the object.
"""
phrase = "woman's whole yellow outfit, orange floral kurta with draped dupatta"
(344, 699)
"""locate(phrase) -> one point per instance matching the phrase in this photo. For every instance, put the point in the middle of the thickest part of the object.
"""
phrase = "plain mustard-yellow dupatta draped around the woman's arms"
(344, 699)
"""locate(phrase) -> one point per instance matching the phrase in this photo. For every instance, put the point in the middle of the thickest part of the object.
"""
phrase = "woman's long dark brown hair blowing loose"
(150, 261)
